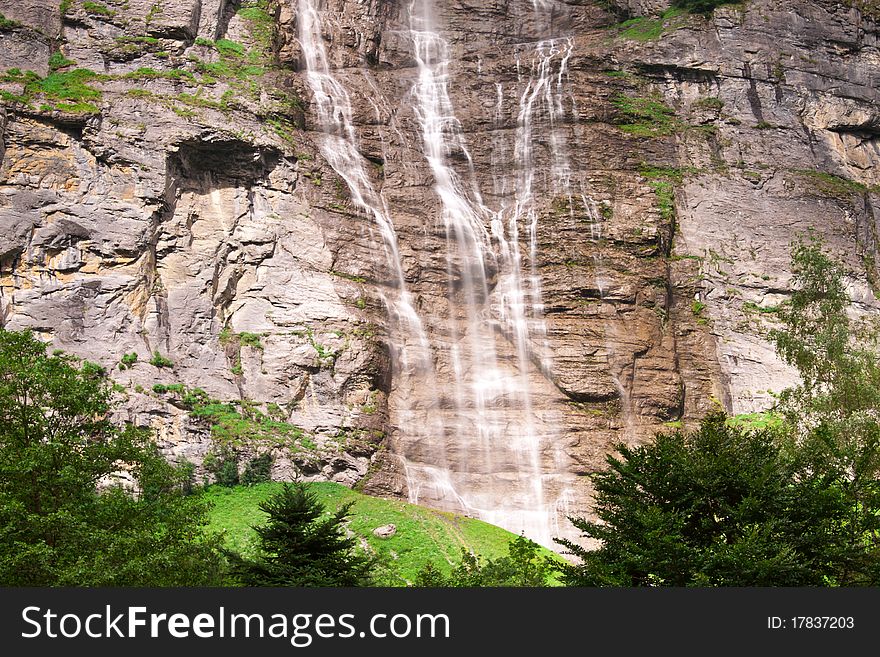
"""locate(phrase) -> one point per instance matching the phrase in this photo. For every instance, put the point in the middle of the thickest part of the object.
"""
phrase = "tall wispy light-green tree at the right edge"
(833, 415)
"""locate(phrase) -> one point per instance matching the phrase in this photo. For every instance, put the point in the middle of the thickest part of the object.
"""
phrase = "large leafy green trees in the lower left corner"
(84, 501)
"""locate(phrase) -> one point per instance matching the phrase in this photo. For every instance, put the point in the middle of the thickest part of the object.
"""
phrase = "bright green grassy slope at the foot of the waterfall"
(422, 534)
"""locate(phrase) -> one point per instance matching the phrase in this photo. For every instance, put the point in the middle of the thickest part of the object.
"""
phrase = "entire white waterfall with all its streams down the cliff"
(477, 442)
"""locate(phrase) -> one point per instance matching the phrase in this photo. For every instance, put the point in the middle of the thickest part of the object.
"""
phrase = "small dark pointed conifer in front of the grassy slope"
(300, 545)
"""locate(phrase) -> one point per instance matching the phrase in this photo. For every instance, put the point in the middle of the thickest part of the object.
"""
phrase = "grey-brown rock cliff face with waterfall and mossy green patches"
(593, 240)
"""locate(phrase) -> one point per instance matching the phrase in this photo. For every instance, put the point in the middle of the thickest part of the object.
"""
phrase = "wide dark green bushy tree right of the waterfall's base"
(720, 506)
